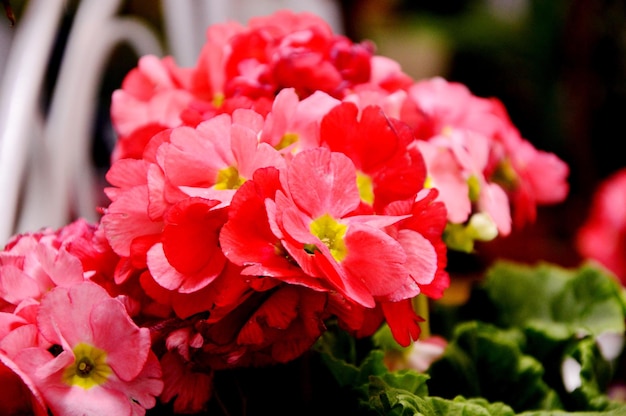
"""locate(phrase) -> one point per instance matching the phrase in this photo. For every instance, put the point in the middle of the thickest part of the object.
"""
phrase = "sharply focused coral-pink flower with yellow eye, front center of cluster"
(313, 216)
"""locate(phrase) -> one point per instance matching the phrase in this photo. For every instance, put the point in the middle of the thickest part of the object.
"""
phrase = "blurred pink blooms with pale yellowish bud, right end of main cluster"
(508, 177)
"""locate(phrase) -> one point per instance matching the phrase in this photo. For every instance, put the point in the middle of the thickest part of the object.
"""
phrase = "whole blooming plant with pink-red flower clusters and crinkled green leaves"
(294, 196)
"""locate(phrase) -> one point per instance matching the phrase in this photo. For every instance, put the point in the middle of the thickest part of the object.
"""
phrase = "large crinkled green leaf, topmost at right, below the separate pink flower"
(555, 301)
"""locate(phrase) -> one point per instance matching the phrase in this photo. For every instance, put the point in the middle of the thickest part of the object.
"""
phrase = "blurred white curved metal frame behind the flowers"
(45, 169)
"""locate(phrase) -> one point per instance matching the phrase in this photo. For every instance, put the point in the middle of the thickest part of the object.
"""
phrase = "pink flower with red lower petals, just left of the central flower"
(168, 208)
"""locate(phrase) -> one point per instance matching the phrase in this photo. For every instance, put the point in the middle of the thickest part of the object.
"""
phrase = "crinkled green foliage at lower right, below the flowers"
(510, 360)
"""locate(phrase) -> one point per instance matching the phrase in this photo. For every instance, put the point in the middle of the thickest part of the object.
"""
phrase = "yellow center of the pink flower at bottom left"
(89, 368)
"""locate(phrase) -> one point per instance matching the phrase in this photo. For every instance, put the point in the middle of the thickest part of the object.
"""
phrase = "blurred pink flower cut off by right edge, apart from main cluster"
(602, 237)
